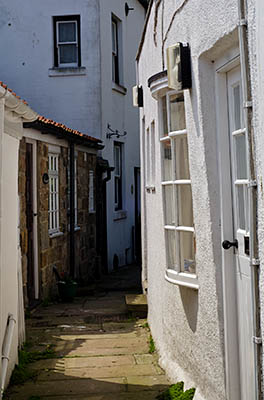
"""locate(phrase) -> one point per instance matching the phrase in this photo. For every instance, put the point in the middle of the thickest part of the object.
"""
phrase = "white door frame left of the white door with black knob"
(228, 273)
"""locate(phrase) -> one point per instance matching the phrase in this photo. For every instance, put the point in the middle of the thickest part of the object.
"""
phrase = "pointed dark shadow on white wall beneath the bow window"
(190, 304)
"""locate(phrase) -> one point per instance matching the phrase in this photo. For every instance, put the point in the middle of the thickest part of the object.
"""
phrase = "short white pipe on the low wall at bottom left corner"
(6, 350)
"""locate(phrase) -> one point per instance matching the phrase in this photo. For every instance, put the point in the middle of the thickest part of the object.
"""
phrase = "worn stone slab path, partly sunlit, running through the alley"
(98, 353)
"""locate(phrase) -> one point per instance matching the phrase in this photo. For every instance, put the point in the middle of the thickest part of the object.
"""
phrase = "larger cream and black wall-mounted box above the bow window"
(179, 66)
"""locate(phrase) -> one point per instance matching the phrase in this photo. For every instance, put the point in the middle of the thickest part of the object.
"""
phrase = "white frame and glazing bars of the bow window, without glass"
(175, 275)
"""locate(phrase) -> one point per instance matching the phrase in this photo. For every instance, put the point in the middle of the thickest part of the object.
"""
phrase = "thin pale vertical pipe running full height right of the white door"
(254, 256)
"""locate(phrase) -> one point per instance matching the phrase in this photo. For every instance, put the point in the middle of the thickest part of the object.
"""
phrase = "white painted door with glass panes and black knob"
(240, 240)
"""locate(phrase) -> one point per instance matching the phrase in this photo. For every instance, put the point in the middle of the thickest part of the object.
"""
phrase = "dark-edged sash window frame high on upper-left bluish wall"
(66, 19)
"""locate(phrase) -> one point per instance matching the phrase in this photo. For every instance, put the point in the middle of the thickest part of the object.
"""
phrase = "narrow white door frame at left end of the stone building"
(35, 212)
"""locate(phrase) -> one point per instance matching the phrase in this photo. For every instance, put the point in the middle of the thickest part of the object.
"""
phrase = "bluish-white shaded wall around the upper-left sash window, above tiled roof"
(28, 30)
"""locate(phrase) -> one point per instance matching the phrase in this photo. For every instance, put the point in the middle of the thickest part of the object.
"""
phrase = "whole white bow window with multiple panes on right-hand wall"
(177, 193)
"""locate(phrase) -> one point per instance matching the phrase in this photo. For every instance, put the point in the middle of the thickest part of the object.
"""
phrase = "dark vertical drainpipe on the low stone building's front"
(72, 216)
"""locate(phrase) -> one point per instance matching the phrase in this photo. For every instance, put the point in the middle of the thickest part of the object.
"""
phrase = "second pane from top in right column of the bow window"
(181, 158)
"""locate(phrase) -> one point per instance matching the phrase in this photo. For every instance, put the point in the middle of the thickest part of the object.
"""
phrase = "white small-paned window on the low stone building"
(54, 199)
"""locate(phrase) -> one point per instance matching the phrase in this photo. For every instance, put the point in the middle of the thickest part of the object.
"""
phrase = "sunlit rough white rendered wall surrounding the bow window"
(187, 325)
